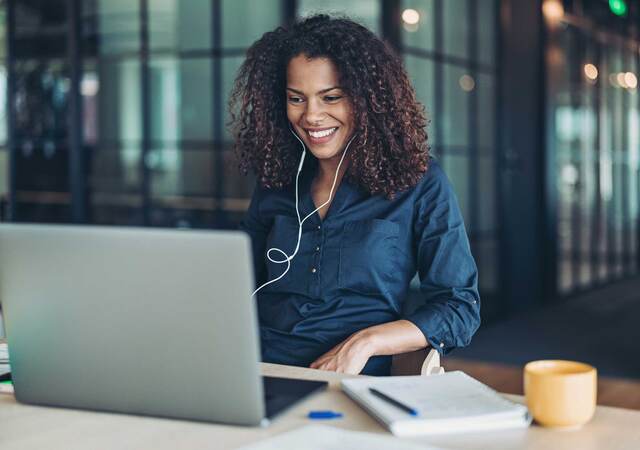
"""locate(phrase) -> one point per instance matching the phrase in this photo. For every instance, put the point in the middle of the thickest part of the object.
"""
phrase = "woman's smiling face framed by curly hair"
(317, 107)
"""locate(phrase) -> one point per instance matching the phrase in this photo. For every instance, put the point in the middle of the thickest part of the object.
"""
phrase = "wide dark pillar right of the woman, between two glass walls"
(528, 229)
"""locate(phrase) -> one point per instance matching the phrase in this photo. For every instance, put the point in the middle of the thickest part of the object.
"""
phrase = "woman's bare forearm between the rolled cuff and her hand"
(392, 338)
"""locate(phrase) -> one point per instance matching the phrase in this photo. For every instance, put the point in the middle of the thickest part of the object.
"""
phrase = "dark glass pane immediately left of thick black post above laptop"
(39, 108)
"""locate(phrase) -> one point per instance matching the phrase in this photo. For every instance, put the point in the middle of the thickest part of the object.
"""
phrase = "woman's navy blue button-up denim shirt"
(354, 267)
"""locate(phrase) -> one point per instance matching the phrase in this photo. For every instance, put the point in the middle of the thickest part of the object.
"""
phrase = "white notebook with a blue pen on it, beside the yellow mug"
(449, 403)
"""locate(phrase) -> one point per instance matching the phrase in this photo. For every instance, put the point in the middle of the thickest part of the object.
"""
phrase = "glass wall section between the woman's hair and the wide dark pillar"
(450, 52)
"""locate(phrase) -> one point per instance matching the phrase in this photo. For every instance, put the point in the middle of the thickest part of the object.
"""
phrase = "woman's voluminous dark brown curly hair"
(389, 153)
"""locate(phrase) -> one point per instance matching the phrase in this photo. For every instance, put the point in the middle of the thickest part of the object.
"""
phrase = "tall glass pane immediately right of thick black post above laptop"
(112, 126)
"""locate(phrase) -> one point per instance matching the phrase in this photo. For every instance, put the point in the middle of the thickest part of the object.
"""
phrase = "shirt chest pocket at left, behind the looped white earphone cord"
(284, 235)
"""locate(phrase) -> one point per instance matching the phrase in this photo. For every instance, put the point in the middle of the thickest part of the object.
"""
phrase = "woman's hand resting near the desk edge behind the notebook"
(350, 356)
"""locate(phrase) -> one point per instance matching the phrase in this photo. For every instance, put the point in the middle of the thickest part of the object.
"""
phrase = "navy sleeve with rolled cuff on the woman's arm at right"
(448, 274)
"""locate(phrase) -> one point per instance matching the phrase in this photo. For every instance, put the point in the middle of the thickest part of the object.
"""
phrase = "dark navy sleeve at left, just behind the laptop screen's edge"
(257, 228)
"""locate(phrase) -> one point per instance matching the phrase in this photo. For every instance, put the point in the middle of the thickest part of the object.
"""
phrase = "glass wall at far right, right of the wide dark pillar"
(593, 103)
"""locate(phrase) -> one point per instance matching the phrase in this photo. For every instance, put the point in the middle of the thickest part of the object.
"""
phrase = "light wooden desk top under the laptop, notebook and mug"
(30, 427)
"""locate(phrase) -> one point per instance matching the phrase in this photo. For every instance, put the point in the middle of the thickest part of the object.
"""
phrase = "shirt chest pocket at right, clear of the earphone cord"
(368, 256)
